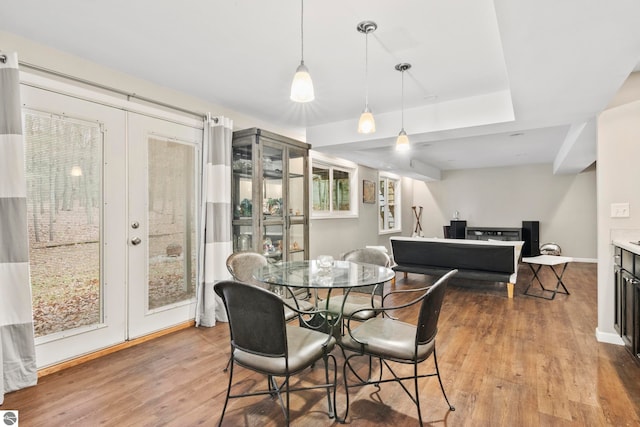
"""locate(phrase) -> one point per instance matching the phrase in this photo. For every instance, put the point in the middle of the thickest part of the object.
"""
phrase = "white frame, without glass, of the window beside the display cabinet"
(332, 163)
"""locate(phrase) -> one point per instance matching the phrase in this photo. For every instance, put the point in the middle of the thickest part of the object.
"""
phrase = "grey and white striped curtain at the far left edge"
(17, 346)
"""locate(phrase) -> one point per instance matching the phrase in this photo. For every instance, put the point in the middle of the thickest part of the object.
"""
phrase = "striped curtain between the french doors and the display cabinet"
(216, 241)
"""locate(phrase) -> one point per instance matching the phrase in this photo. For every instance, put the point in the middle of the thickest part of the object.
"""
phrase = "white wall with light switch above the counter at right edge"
(618, 181)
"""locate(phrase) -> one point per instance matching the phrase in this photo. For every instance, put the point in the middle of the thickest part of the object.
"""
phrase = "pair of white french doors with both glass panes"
(112, 204)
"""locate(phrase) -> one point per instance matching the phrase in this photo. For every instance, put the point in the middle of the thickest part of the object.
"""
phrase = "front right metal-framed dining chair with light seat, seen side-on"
(391, 340)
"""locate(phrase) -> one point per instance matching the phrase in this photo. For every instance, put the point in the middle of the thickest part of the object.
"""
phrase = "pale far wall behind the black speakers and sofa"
(565, 205)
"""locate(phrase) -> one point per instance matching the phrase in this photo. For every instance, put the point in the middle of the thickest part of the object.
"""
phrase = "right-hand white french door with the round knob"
(162, 223)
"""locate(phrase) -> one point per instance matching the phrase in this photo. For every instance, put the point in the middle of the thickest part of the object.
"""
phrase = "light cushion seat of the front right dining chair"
(387, 338)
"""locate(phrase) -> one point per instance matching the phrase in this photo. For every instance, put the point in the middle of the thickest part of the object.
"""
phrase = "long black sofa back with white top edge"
(449, 253)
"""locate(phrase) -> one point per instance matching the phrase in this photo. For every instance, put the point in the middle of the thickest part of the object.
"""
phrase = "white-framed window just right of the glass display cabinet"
(333, 187)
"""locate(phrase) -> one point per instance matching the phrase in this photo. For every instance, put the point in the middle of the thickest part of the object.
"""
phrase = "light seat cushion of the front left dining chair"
(305, 347)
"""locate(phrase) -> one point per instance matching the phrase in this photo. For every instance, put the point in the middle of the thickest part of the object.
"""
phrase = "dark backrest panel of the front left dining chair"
(256, 318)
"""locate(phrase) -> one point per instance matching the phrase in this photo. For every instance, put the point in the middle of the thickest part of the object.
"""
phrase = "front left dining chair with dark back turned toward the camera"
(262, 341)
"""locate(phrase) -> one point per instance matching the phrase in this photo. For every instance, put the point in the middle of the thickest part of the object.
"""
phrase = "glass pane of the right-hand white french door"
(172, 222)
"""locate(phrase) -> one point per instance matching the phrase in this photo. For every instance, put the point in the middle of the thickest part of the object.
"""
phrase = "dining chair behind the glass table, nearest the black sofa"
(366, 300)
